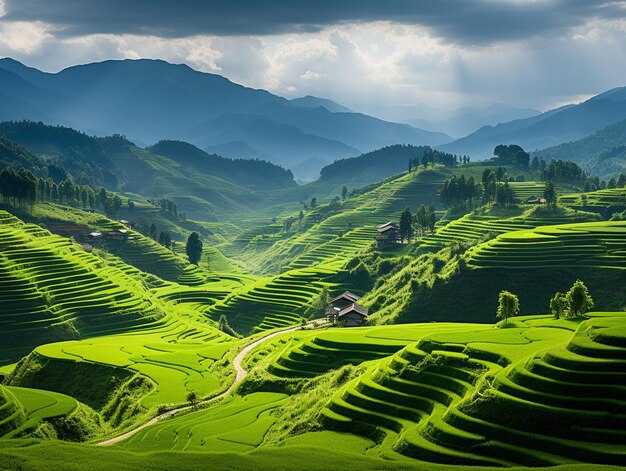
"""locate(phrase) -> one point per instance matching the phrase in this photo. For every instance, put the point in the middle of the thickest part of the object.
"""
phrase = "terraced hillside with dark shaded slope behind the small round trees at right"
(532, 263)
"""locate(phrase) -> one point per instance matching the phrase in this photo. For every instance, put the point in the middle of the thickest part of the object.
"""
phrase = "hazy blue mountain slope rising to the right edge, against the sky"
(554, 127)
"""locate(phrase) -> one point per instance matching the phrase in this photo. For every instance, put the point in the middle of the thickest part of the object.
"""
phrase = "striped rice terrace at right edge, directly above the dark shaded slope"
(597, 244)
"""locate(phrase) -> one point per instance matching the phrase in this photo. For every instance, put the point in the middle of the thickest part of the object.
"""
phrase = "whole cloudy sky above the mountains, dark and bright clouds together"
(362, 53)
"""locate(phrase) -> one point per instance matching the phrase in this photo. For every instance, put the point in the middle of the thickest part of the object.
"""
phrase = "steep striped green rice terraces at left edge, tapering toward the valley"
(50, 289)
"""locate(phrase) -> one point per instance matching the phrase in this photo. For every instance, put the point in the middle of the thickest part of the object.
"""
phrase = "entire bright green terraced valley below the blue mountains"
(301, 343)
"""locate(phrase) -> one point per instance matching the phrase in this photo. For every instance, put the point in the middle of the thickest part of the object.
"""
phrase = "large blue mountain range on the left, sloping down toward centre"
(150, 100)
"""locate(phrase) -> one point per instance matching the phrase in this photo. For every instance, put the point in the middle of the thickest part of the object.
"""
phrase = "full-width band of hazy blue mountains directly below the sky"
(152, 100)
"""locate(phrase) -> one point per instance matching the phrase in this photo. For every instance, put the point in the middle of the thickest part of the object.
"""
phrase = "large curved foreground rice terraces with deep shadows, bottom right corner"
(532, 394)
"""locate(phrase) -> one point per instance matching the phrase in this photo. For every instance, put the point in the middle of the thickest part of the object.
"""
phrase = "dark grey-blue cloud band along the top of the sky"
(459, 21)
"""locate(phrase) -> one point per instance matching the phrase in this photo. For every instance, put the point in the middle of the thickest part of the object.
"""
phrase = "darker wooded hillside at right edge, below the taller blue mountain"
(603, 153)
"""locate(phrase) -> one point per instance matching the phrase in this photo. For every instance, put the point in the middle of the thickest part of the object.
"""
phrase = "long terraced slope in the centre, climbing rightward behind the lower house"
(309, 259)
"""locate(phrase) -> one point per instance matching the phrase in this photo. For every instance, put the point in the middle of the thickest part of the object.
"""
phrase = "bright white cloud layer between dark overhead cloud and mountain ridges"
(364, 64)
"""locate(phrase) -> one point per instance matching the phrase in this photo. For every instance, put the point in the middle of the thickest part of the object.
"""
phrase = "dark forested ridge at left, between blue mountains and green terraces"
(200, 183)
